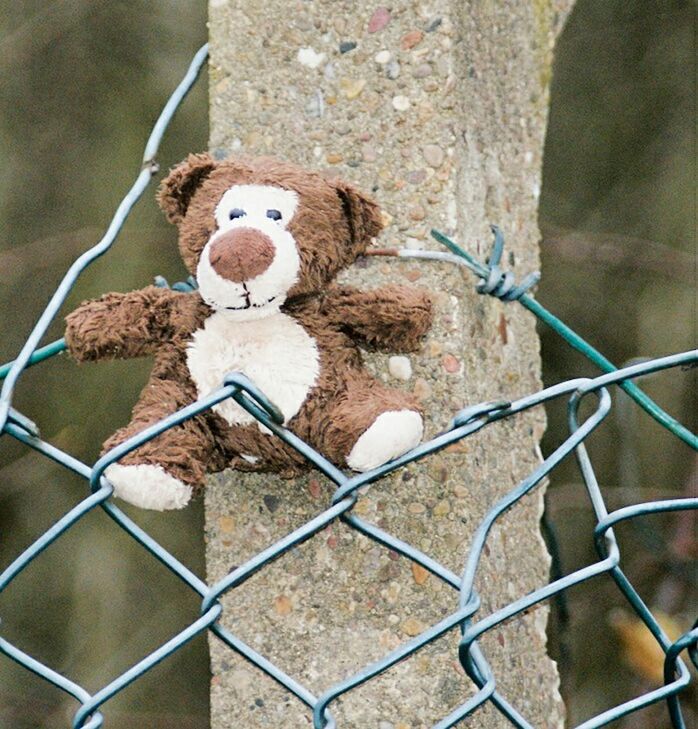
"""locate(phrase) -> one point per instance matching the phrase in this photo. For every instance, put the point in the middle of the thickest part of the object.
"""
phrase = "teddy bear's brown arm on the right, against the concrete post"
(393, 318)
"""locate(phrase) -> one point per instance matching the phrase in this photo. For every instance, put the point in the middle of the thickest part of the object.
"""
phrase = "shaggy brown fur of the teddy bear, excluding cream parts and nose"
(333, 224)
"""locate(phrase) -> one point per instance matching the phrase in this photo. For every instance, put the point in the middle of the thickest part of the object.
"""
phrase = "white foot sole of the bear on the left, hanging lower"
(148, 486)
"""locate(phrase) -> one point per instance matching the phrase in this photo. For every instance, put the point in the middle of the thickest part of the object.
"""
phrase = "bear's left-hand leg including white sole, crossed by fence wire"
(164, 472)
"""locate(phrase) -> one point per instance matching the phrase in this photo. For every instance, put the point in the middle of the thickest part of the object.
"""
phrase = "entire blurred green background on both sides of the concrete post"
(81, 83)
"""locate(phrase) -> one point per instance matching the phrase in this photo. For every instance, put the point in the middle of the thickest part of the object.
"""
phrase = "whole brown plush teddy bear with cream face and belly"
(264, 239)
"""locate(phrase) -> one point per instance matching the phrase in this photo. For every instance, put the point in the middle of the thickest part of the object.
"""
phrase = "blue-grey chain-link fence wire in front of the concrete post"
(465, 423)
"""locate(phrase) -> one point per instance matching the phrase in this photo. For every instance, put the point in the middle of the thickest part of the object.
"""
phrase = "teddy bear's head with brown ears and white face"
(256, 231)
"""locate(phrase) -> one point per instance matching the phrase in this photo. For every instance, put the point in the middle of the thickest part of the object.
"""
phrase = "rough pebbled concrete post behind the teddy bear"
(440, 109)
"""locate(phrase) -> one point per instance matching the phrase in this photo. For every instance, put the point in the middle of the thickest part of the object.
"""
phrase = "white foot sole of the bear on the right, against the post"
(390, 435)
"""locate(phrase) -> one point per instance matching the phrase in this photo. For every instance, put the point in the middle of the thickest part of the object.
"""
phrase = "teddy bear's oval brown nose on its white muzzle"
(241, 254)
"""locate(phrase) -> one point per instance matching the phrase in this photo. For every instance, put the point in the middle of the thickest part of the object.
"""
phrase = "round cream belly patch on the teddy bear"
(275, 352)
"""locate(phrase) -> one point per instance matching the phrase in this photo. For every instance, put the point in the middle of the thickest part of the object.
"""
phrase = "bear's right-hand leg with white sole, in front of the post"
(370, 424)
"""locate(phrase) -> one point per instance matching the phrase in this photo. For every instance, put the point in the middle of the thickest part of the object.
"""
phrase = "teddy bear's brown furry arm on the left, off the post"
(119, 326)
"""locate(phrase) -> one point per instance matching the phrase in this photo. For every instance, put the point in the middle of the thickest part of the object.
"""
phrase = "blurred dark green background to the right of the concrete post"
(618, 217)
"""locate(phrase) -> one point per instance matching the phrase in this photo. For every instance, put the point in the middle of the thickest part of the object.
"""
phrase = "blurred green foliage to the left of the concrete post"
(81, 83)
